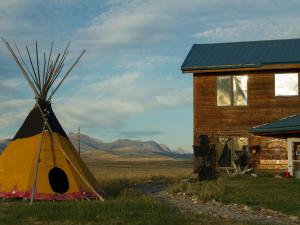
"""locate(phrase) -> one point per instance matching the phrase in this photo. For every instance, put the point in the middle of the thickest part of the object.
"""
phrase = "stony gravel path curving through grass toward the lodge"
(233, 212)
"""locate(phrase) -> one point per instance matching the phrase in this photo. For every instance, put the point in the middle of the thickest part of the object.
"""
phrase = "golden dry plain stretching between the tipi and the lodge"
(107, 168)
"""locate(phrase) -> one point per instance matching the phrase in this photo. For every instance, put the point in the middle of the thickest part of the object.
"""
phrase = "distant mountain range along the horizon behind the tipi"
(122, 148)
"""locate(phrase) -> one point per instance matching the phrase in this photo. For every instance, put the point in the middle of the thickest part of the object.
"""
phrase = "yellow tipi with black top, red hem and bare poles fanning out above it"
(40, 163)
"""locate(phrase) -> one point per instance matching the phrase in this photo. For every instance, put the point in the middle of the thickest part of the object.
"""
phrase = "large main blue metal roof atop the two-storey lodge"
(242, 54)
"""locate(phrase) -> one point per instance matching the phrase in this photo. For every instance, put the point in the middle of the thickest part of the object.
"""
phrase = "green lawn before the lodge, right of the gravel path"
(278, 194)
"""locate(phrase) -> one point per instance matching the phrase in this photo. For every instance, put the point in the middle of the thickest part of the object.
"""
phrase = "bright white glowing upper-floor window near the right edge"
(286, 84)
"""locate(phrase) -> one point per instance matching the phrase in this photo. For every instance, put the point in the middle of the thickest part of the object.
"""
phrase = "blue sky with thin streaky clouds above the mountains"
(129, 83)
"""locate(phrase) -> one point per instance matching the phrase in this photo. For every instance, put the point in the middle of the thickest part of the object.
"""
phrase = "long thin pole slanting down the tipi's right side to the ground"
(68, 158)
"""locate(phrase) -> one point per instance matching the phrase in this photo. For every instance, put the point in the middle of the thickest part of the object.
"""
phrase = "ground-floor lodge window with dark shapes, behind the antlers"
(232, 149)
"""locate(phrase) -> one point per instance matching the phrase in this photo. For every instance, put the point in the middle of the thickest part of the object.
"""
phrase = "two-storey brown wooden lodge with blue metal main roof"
(241, 85)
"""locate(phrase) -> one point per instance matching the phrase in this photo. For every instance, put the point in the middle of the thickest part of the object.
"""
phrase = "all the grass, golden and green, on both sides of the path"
(126, 206)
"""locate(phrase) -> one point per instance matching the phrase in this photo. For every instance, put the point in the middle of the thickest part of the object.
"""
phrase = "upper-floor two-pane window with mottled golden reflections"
(232, 90)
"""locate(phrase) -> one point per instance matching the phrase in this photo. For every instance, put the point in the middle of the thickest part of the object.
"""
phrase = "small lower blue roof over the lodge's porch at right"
(289, 124)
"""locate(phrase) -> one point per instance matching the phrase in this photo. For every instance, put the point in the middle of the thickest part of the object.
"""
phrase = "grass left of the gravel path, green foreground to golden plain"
(124, 205)
